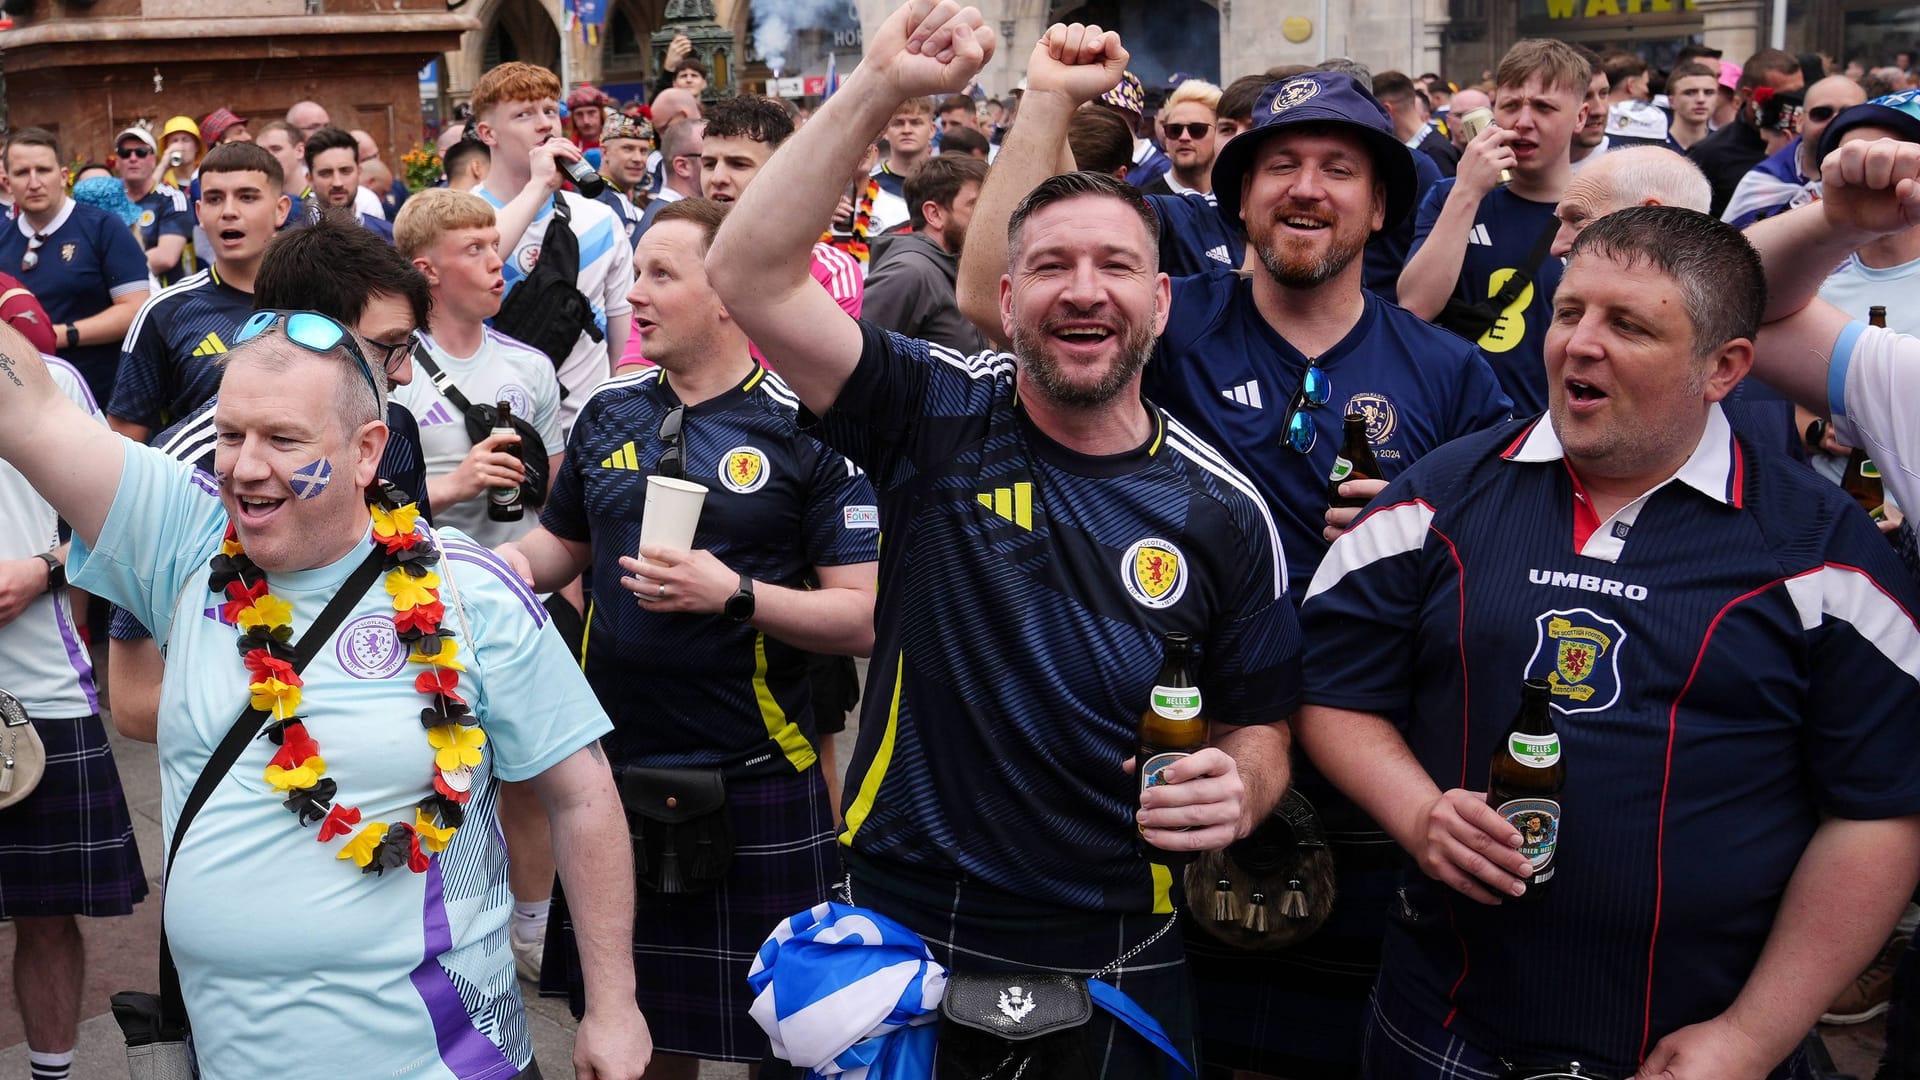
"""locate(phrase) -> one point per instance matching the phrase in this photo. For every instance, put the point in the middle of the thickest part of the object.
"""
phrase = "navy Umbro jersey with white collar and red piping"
(1733, 658)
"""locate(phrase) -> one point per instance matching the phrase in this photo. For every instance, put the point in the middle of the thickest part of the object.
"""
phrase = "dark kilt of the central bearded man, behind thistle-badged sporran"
(974, 933)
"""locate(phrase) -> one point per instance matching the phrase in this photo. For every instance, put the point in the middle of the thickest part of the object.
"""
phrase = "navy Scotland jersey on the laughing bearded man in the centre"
(1024, 593)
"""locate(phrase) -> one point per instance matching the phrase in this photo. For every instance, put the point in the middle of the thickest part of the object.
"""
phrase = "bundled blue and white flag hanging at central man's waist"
(850, 993)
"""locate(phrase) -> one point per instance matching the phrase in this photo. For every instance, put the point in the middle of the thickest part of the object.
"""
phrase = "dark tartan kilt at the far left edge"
(68, 848)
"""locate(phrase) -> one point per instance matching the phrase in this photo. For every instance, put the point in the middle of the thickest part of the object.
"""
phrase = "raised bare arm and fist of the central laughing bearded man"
(759, 260)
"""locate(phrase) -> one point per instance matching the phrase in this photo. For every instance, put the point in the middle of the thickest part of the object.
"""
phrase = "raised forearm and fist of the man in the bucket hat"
(1070, 66)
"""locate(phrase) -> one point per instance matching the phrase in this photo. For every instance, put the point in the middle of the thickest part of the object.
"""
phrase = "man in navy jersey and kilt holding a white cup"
(698, 652)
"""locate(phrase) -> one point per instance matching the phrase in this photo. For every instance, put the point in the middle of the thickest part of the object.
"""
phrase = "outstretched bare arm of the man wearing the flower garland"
(66, 456)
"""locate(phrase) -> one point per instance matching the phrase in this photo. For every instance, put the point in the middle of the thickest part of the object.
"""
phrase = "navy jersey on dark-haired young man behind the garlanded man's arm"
(170, 364)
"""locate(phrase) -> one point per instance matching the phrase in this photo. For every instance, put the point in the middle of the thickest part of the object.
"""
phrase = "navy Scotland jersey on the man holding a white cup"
(704, 691)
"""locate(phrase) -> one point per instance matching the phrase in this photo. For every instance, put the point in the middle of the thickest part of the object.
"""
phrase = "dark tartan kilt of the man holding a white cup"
(692, 952)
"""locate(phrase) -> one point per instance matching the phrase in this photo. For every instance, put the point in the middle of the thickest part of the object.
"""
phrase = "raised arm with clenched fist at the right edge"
(1871, 191)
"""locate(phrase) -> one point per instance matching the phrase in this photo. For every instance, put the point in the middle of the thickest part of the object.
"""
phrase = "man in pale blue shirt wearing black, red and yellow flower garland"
(402, 964)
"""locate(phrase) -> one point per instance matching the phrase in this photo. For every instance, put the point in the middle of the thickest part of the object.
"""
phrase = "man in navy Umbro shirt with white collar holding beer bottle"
(1729, 662)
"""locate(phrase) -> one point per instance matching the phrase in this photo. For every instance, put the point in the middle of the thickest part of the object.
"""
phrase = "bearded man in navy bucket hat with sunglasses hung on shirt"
(1266, 370)
